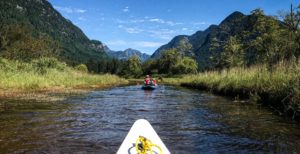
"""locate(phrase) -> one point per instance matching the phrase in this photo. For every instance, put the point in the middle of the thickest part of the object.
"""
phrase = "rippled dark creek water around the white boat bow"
(187, 121)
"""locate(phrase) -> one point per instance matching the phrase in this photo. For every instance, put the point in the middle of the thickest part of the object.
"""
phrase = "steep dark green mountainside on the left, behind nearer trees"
(75, 46)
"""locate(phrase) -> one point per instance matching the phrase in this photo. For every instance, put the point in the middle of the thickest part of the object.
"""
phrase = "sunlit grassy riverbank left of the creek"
(48, 75)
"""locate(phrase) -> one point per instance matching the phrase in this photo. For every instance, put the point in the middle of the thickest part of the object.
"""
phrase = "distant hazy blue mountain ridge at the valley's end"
(124, 55)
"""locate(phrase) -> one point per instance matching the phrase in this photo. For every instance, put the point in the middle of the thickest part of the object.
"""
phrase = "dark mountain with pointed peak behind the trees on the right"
(199, 44)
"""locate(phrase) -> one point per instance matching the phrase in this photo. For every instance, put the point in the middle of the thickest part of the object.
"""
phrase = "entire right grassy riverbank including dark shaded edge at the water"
(278, 87)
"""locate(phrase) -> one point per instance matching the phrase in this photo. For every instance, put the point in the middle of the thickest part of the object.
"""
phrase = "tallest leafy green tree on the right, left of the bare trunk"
(268, 44)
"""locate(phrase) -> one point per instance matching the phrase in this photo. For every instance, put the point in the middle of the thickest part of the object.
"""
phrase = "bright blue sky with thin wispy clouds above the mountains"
(145, 25)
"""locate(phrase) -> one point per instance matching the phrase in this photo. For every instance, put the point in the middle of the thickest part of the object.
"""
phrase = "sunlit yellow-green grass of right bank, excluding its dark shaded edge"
(282, 80)
